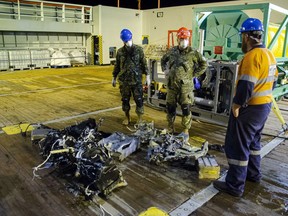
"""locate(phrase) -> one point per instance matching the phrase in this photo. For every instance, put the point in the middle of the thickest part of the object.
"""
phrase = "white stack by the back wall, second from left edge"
(19, 59)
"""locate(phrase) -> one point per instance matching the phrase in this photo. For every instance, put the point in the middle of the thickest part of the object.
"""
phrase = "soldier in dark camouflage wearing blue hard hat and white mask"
(129, 67)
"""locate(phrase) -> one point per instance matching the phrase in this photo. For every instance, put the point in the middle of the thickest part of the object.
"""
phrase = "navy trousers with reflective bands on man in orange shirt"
(242, 145)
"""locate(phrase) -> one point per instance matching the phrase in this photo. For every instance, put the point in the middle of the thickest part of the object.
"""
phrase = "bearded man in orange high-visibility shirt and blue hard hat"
(250, 109)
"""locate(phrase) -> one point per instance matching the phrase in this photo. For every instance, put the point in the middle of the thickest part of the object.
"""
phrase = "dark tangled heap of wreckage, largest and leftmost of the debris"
(76, 153)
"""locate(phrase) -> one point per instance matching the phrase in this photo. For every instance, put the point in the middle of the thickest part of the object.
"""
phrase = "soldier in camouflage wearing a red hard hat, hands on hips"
(181, 64)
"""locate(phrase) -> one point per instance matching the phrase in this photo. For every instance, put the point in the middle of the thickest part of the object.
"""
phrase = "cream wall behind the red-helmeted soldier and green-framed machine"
(176, 17)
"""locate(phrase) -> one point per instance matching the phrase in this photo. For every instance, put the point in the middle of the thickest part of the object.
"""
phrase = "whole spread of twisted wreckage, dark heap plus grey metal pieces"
(86, 155)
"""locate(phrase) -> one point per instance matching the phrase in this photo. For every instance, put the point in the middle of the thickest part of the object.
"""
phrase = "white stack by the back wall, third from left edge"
(40, 59)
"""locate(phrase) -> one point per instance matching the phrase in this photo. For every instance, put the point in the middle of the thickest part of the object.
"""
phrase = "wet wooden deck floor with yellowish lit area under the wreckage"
(61, 97)
